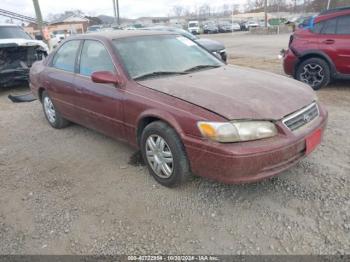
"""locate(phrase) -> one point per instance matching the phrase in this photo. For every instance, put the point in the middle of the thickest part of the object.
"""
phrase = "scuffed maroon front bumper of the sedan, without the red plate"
(251, 161)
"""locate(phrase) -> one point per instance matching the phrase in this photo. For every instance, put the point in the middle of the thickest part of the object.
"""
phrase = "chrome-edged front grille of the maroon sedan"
(301, 117)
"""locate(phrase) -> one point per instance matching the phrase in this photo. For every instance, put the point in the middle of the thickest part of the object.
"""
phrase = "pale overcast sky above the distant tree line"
(128, 8)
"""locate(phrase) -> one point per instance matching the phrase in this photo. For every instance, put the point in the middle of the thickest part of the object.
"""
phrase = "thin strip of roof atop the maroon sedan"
(117, 34)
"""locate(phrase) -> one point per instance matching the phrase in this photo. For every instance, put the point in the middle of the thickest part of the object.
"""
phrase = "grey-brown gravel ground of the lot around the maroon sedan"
(75, 191)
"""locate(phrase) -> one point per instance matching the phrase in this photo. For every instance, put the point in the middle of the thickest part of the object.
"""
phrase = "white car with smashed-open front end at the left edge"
(18, 51)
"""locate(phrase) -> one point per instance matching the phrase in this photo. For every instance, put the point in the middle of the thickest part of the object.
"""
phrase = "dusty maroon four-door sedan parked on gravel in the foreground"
(186, 110)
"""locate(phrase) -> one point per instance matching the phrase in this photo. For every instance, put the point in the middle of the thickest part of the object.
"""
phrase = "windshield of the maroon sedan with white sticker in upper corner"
(163, 55)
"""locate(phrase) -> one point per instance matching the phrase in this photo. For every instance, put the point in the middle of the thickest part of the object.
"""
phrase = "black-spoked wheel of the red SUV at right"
(315, 72)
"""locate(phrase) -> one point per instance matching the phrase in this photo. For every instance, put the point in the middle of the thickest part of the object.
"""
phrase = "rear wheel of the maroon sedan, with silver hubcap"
(51, 114)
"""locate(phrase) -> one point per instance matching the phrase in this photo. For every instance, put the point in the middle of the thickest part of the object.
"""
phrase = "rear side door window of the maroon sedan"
(65, 57)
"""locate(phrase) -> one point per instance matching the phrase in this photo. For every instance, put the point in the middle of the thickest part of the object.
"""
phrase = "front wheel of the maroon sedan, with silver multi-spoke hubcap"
(164, 154)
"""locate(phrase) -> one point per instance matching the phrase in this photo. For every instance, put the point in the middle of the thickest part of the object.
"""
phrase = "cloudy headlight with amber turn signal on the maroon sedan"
(226, 132)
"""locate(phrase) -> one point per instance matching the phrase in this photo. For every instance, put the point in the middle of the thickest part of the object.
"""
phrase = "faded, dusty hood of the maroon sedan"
(237, 92)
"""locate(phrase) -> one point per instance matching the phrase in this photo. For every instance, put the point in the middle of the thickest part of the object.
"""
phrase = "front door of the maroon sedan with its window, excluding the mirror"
(100, 105)
